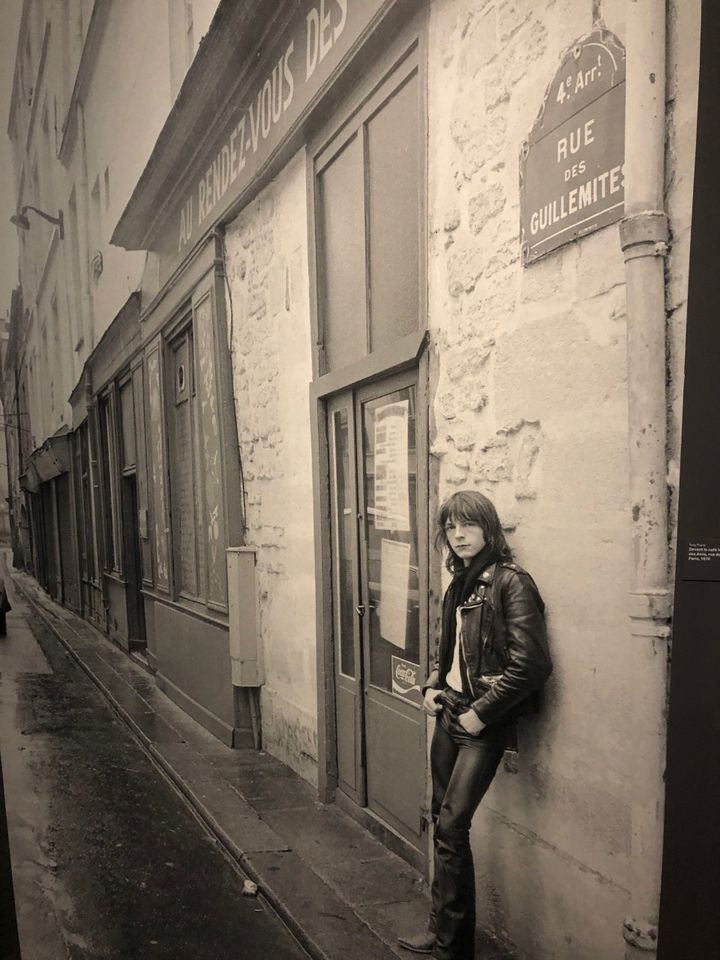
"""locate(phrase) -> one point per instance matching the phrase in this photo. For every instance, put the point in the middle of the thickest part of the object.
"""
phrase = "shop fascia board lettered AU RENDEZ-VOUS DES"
(299, 63)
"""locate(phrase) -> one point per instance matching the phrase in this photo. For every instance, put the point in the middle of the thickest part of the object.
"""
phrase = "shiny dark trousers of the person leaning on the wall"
(463, 767)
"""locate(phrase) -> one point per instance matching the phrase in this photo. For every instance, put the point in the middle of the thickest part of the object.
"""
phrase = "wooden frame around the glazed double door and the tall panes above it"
(381, 54)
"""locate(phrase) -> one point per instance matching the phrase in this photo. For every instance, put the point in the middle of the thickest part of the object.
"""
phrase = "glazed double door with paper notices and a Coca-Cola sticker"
(378, 590)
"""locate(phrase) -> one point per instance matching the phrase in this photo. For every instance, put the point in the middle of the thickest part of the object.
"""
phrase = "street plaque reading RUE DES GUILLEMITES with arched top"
(571, 165)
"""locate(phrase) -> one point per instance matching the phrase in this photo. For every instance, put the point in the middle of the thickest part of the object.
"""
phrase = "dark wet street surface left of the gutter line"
(108, 862)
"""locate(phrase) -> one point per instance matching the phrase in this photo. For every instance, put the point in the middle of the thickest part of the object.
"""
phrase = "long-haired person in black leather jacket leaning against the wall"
(492, 659)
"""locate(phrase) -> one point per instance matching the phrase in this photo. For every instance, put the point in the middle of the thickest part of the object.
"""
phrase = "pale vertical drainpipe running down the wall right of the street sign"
(643, 237)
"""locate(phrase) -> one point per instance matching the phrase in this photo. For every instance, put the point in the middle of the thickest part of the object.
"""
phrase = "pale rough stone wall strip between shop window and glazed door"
(271, 337)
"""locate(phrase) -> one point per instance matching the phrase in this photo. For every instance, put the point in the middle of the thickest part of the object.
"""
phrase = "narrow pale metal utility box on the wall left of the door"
(243, 618)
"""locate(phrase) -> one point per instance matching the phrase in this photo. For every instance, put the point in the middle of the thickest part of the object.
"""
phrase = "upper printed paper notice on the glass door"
(392, 500)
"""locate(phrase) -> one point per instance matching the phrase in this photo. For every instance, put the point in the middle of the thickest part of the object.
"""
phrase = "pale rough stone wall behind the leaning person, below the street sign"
(530, 406)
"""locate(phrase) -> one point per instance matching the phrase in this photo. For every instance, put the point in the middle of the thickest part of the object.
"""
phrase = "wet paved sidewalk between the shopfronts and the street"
(341, 892)
